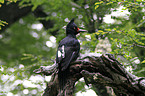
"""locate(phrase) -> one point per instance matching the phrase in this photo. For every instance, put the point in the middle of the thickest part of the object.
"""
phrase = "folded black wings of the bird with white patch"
(66, 55)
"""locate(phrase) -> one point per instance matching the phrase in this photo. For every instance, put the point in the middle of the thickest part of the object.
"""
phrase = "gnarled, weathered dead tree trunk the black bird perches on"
(104, 70)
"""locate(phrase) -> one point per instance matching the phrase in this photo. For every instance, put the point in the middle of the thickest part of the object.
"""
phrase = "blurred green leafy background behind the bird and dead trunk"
(30, 31)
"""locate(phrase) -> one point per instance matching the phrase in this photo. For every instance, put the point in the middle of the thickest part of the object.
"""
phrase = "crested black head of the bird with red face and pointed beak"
(72, 28)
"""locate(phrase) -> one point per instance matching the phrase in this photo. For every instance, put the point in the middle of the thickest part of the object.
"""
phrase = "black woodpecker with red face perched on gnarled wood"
(68, 51)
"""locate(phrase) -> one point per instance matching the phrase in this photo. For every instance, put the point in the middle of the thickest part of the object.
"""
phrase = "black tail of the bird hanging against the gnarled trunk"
(62, 77)
